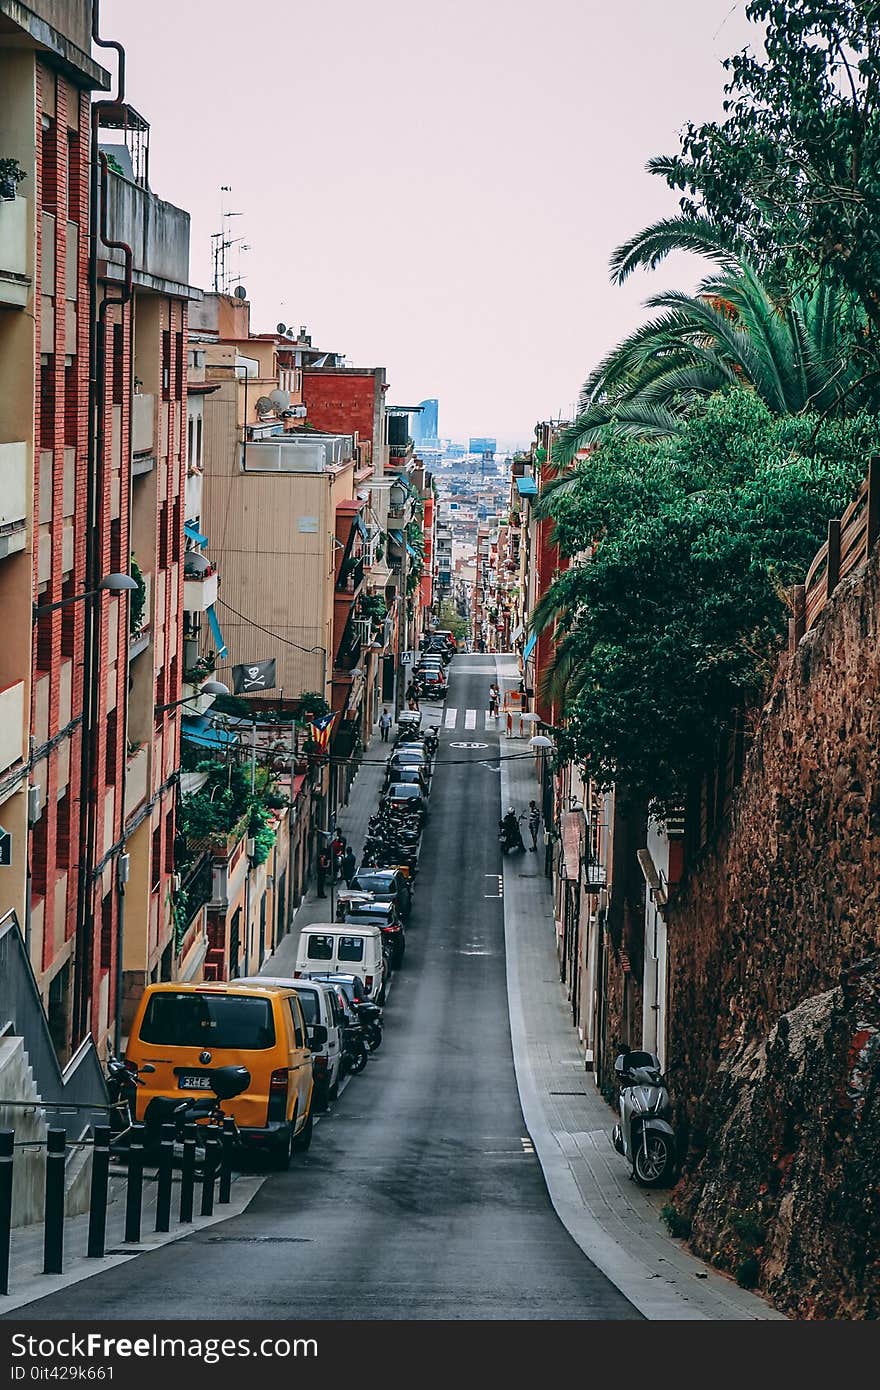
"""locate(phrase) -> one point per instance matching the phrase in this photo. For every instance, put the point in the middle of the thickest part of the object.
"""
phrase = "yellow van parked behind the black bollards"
(187, 1031)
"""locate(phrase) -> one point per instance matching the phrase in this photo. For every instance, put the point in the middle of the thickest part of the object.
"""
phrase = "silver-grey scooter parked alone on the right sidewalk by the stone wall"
(644, 1134)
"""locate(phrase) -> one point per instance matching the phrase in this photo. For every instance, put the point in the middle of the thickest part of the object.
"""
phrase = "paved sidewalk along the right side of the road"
(615, 1223)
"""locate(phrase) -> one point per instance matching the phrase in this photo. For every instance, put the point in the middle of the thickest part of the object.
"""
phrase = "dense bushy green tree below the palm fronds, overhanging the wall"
(672, 614)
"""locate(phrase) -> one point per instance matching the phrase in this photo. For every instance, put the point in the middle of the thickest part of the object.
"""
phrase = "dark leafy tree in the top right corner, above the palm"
(792, 174)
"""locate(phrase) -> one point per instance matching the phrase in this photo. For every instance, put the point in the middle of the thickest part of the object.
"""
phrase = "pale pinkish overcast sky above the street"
(432, 187)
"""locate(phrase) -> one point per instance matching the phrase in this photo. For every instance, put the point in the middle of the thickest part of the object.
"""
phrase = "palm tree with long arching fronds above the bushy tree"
(796, 351)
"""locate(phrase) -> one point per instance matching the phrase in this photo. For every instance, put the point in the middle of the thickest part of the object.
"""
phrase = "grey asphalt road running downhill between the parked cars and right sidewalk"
(421, 1197)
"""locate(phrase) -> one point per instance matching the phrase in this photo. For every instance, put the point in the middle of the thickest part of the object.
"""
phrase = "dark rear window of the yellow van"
(216, 1021)
